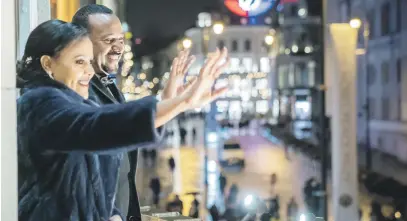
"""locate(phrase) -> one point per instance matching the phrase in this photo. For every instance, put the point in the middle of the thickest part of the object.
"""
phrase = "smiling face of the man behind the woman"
(108, 42)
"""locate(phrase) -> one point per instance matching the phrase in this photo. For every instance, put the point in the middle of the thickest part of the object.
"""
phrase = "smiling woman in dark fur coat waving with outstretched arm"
(69, 148)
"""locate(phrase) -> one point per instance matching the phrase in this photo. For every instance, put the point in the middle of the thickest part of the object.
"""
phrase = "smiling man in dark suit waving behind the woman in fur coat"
(108, 46)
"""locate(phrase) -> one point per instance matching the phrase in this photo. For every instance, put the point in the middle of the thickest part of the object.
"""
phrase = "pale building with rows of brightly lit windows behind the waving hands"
(249, 74)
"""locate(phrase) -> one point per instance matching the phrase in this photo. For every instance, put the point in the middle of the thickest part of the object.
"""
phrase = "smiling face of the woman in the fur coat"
(73, 66)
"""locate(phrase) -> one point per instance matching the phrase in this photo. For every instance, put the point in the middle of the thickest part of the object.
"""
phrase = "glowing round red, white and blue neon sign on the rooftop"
(249, 8)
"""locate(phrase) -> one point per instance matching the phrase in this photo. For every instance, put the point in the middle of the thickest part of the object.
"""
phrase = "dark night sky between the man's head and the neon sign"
(159, 22)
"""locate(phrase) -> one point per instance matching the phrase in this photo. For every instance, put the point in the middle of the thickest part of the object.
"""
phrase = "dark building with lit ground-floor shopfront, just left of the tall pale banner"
(297, 72)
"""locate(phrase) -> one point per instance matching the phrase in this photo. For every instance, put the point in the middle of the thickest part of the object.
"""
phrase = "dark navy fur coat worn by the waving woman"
(69, 151)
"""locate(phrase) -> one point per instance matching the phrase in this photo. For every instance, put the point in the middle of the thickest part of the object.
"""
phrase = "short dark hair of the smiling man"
(81, 17)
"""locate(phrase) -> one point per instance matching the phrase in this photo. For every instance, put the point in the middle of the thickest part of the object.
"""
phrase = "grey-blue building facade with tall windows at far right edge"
(382, 74)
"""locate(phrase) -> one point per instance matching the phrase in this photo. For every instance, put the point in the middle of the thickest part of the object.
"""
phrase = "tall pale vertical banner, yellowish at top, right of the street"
(343, 40)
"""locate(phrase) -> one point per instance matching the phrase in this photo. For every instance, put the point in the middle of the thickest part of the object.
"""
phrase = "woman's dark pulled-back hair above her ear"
(49, 38)
